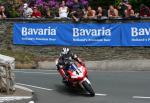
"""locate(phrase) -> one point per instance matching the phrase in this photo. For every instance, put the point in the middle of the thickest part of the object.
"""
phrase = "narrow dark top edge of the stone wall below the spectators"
(104, 20)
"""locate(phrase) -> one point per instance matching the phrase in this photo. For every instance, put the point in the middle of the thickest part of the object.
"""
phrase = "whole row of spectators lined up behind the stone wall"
(75, 9)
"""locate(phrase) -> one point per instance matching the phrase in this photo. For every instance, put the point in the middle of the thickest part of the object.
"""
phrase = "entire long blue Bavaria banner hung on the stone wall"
(64, 34)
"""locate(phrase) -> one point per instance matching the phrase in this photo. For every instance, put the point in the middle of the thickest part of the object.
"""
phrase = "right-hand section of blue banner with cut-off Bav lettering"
(136, 34)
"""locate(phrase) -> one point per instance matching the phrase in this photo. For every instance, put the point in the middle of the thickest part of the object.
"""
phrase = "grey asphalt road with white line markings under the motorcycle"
(110, 87)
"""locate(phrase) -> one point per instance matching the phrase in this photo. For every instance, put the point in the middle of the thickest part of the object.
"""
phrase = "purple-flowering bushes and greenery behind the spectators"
(12, 7)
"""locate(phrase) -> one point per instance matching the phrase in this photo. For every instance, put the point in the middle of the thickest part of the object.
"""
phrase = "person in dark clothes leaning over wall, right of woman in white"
(77, 10)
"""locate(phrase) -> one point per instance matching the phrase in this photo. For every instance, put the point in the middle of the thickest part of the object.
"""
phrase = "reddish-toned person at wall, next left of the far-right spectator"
(129, 12)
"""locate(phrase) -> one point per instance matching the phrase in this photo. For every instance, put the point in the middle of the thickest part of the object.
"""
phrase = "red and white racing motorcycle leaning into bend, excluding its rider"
(78, 77)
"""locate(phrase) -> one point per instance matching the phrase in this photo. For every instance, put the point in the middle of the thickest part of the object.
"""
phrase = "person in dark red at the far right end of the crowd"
(144, 11)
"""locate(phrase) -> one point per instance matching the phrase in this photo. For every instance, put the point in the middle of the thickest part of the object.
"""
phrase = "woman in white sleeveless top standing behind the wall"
(63, 10)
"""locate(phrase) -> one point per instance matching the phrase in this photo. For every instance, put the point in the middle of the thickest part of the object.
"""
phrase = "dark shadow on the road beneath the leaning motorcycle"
(70, 91)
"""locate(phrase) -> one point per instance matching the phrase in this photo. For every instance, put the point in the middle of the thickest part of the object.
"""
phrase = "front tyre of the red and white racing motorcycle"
(88, 88)
